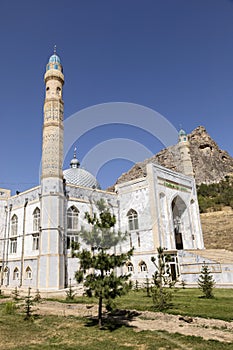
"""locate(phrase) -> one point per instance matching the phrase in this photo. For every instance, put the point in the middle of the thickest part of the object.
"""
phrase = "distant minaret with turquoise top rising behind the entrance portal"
(185, 166)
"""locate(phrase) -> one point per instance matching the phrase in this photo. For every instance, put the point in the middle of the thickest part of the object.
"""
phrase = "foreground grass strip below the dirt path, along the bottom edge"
(70, 333)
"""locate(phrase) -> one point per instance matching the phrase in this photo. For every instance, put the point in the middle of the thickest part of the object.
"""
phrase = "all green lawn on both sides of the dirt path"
(69, 332)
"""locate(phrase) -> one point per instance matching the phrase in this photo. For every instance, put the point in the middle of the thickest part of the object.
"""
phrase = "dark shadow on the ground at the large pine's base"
(114, 320)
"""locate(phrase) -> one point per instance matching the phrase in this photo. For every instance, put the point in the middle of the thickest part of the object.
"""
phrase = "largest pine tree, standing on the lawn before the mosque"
(98, 263)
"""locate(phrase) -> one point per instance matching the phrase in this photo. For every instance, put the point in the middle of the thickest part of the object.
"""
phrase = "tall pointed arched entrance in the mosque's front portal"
(179, 210)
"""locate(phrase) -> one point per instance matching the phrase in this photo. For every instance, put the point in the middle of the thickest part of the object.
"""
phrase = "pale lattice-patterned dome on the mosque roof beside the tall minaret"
(80, 177)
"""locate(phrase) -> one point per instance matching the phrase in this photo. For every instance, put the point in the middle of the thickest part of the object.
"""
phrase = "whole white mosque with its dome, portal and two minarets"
(38, 226)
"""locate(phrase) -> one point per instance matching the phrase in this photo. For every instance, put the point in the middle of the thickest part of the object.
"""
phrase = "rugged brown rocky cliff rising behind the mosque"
(210, 163)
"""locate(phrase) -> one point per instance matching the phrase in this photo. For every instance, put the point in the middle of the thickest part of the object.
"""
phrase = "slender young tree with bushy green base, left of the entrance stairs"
(161, 294)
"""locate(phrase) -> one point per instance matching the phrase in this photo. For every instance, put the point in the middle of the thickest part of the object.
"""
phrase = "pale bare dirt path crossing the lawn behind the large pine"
(205, 328)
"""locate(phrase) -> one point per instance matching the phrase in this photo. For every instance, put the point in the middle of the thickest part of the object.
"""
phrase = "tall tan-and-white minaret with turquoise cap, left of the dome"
(51, 258)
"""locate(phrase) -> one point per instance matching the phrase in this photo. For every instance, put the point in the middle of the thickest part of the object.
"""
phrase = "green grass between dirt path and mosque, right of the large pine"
(185, 302)
